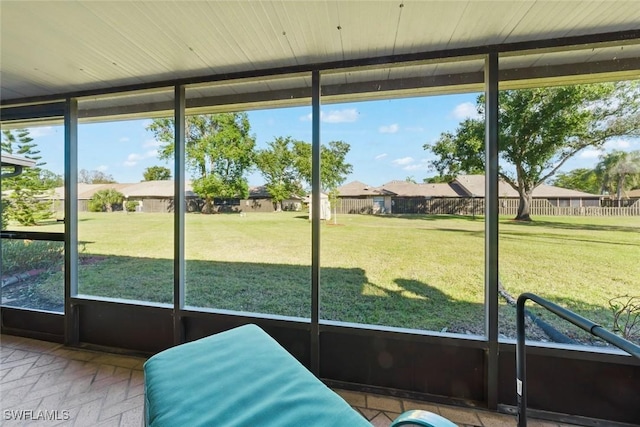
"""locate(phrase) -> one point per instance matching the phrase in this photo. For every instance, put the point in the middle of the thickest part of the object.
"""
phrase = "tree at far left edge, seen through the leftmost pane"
(26, 202)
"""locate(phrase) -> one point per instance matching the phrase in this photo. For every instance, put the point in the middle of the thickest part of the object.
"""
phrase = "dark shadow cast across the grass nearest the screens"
(346, 294)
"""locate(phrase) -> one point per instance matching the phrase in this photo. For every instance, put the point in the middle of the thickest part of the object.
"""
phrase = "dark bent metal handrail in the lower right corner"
(581, 322)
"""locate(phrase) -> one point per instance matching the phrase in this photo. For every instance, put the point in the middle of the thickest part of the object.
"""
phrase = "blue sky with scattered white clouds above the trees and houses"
(386, 138)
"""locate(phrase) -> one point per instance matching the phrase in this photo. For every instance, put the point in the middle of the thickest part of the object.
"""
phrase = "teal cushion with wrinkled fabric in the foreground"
(241, 377)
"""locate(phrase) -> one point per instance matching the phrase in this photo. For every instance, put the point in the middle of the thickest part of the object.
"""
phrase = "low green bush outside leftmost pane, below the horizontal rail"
(19, 256)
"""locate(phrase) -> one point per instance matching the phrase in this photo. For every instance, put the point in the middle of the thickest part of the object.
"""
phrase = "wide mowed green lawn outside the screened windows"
(422, 272)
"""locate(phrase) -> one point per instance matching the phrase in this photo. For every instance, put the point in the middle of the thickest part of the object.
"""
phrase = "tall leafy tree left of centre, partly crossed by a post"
(218, 150)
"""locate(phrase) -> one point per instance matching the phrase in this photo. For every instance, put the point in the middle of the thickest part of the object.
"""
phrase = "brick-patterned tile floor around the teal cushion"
(73, 387)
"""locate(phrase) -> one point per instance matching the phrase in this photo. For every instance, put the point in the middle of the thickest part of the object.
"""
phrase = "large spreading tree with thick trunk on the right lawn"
(539, 130)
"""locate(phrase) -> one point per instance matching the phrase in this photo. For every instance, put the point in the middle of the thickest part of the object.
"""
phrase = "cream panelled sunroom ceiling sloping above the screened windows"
(53, 49)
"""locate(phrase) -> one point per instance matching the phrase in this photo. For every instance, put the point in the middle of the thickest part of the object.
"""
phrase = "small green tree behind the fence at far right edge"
(618, 171)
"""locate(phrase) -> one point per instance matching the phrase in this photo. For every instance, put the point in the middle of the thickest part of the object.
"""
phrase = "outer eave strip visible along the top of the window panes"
(380, 89)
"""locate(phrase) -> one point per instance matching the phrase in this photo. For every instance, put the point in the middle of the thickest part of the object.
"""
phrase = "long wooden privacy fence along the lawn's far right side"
(475, 206)
